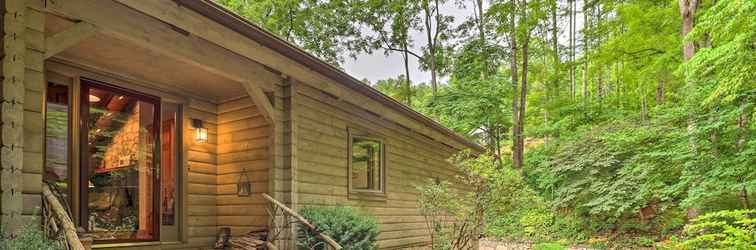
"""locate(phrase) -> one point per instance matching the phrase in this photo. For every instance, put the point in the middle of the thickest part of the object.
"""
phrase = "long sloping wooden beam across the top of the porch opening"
(119, 21)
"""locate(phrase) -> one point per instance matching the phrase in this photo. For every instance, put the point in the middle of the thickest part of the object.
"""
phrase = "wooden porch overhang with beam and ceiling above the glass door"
(122, 39)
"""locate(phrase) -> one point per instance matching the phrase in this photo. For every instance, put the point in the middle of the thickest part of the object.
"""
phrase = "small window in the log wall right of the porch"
(366, 164)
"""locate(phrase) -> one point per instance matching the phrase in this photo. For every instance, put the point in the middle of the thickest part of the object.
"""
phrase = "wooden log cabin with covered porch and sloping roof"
(150, 117)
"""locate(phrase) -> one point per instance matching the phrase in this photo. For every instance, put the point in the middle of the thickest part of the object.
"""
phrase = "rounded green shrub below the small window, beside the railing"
(347, 226)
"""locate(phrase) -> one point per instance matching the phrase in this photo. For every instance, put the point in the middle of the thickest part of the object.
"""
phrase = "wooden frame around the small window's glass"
(351, 135)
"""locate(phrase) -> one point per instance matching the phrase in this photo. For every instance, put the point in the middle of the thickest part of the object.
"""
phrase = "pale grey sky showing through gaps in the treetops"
(377, 66)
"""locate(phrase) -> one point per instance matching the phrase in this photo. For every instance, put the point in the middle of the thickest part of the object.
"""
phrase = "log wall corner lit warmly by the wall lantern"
(238, 138)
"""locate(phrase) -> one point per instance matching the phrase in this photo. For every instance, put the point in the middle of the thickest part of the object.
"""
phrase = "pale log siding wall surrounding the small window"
(411, 159)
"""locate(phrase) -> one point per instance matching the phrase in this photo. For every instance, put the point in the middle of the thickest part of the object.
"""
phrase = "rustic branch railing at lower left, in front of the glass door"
(57, 219)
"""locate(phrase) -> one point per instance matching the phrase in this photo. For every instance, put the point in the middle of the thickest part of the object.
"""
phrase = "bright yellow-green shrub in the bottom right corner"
(727, 229)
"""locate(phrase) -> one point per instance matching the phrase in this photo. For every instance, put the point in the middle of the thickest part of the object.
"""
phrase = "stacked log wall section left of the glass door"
(23, 122)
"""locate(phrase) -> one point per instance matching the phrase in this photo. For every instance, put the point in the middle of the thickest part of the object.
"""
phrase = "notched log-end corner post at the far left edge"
(11, 153)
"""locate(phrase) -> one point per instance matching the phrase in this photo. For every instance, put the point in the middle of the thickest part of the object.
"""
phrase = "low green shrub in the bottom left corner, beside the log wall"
(30, 237)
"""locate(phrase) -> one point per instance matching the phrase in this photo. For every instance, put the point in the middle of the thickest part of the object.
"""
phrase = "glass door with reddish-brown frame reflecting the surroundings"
(119, 157)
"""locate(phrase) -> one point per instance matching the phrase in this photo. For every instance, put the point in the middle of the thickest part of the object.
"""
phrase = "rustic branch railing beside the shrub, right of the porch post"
(288, 214)
